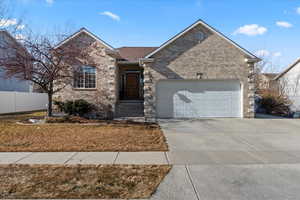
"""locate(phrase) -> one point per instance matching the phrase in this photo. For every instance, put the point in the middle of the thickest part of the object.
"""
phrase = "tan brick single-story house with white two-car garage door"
(197, 73)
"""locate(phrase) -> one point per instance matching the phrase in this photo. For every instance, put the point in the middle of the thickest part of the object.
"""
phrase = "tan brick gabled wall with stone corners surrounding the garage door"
(198, 51)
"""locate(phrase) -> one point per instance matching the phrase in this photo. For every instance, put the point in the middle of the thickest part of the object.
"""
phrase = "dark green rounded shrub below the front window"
(78, 107)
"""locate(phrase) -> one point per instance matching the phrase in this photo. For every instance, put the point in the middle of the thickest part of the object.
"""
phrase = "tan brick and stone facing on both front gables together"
(197, 51)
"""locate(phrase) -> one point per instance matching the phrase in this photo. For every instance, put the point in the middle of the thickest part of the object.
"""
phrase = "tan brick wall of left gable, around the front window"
(104, 96)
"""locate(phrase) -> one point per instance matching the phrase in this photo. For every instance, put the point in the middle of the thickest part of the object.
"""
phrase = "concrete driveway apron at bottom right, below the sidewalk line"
(231, 182)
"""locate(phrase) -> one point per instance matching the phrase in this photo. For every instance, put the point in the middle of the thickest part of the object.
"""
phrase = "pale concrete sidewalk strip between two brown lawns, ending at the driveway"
(145, 158)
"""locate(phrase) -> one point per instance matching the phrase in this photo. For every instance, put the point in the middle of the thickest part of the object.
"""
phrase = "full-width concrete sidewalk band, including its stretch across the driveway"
(155, 158)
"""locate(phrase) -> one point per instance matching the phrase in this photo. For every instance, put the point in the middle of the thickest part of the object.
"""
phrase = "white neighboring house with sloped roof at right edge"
(289, 81)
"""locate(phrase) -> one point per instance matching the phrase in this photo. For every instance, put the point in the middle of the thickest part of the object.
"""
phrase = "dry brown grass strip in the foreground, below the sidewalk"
(80, 181)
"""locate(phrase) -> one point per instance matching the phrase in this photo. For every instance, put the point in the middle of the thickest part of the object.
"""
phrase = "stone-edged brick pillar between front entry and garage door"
(149, 90)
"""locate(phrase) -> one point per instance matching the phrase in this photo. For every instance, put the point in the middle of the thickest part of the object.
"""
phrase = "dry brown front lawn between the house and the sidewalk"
(106, 136)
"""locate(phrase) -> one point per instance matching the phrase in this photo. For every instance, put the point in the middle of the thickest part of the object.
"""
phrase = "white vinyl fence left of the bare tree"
(11, 102)
